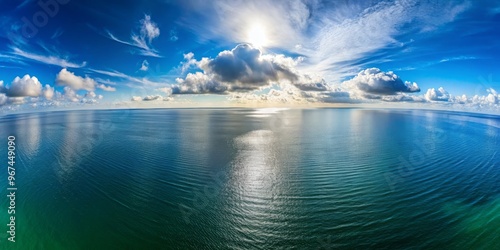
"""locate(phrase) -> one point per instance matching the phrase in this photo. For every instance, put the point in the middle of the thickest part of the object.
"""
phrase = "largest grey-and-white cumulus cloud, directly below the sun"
(244, 69)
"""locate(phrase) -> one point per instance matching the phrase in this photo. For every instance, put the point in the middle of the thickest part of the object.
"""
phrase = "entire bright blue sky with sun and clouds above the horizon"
(74, 53)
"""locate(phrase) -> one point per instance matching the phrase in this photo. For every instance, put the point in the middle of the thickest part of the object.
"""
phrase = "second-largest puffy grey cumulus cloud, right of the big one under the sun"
(373, 81)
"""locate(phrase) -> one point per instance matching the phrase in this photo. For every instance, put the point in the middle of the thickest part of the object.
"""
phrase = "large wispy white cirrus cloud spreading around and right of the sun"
(336, 38)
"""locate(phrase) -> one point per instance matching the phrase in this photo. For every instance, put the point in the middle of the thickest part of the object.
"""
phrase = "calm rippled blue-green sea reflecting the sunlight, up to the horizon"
(253, 179)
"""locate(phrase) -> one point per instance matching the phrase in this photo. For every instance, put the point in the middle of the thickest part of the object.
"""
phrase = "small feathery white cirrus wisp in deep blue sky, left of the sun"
(148, 31)
